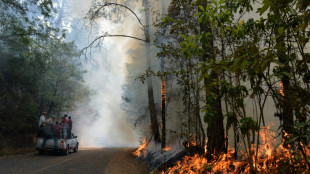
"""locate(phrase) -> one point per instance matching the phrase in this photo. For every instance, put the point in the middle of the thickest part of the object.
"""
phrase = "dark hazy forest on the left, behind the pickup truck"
(39, 70)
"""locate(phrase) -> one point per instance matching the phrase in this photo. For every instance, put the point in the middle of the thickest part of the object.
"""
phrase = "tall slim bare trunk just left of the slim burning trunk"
(154, 122)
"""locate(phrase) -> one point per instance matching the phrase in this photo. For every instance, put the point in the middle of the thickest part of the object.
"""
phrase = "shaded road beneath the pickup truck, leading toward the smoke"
(105, 160)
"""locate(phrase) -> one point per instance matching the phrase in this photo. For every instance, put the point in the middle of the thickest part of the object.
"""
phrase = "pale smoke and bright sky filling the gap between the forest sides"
(103, 121)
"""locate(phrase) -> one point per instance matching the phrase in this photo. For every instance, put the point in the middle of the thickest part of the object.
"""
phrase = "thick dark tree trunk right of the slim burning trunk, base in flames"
(215, 130)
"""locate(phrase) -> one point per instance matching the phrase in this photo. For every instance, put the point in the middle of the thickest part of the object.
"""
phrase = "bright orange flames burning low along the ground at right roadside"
(267, 158)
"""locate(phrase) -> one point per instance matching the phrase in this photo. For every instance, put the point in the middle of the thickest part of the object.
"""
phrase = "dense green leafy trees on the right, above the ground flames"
(246, 53)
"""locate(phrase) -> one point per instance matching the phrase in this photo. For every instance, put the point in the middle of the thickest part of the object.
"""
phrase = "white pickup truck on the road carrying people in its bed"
(61, 145)
